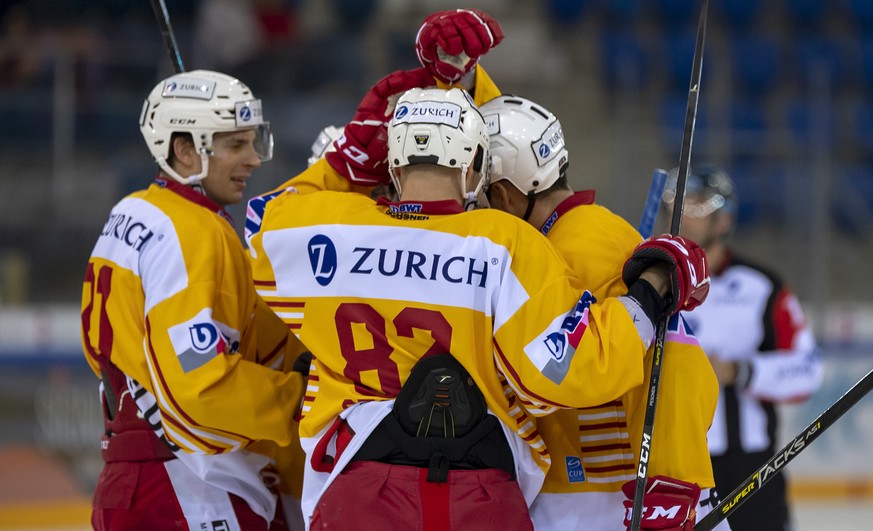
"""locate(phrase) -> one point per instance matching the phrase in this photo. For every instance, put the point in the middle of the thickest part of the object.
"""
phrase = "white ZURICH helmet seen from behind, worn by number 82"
(442, 127)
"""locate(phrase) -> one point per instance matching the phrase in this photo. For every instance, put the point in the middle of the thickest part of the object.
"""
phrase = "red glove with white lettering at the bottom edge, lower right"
(668, 504)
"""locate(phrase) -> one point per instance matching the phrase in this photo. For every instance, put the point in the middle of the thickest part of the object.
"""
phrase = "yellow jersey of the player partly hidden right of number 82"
(595, 449)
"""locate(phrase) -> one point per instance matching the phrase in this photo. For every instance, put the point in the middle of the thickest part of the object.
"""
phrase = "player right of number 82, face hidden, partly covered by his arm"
(594, 450)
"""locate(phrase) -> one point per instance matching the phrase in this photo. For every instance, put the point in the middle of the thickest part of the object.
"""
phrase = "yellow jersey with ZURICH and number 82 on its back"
(371, 288)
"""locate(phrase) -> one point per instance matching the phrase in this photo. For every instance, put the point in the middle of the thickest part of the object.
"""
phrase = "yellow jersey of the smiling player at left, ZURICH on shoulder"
(168, 299)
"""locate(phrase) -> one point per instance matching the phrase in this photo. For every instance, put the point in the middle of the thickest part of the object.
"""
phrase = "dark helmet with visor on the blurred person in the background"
(710, 186)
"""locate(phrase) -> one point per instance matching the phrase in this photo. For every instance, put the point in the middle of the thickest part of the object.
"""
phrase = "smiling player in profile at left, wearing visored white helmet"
(196, 374)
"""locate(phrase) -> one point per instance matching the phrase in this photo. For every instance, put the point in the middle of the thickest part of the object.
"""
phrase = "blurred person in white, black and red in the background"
(760, 345)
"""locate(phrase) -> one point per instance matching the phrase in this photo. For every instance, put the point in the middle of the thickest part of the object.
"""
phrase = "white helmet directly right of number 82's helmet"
(527, 143)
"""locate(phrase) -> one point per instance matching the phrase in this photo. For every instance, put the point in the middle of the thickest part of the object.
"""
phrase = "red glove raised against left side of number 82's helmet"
(361, 153)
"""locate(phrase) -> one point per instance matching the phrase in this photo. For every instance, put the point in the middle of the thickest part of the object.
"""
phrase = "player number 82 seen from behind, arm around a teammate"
(435, 331)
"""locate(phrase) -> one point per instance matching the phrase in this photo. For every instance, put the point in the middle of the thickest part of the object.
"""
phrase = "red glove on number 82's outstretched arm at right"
(689, 270)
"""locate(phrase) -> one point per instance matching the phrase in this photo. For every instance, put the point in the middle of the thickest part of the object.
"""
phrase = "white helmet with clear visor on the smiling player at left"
(201, 103)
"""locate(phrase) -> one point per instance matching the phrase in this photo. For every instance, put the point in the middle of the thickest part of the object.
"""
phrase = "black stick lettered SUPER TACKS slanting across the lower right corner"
(781, 458)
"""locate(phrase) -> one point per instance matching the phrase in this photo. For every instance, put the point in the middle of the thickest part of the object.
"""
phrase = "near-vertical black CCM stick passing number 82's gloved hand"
(678, 205)
